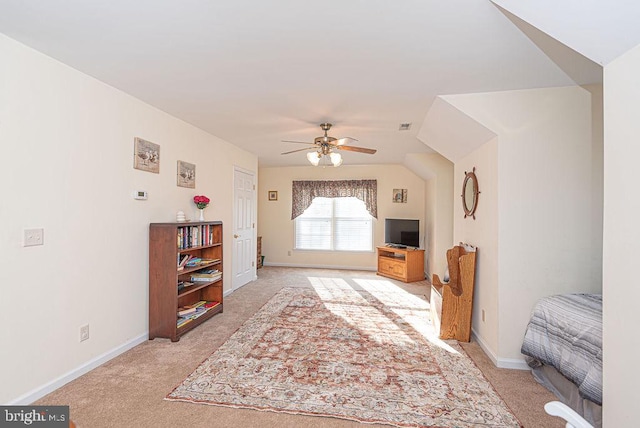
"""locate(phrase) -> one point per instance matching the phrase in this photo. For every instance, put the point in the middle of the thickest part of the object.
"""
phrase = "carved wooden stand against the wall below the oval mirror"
(452, 302)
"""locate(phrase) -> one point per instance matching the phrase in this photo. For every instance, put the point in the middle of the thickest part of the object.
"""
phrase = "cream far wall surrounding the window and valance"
(277, 230)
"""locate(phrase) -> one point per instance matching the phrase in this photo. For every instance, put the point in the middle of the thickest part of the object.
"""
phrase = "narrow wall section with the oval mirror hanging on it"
(482, 232)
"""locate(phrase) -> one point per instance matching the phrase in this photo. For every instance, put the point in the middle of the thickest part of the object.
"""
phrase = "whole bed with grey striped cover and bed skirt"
(563, 347)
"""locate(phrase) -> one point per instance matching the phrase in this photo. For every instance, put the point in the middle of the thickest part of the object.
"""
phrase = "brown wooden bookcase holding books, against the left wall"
(166, 245)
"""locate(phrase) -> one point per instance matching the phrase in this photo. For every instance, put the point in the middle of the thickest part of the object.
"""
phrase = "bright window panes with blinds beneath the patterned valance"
(338, 224)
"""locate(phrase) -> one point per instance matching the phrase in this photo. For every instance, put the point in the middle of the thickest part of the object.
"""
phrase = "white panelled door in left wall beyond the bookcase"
(244, 245)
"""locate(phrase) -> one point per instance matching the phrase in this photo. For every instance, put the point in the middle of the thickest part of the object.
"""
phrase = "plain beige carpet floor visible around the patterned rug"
(130, 389)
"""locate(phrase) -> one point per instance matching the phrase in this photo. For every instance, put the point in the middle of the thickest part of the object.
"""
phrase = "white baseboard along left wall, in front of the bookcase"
(43, 390)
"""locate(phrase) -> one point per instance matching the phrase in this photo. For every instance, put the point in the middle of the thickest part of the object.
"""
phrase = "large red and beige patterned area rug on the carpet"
(368, 355)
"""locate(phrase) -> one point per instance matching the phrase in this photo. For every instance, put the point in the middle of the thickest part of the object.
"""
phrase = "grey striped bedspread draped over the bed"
(565, 331)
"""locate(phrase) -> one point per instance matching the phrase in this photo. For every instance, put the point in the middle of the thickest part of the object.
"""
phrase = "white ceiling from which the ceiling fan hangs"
(256, 72)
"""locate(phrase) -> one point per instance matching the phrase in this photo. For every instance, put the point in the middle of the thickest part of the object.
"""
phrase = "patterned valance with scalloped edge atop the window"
(305, 191)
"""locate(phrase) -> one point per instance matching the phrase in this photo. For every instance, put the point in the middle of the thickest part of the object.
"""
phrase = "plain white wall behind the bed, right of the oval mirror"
(545, 192)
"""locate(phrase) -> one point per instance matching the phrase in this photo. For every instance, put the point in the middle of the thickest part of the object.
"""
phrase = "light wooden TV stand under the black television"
(403, 264)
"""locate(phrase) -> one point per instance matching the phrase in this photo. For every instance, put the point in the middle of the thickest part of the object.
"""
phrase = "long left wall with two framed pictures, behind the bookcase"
(67, 150)
